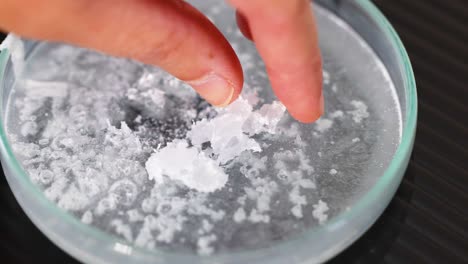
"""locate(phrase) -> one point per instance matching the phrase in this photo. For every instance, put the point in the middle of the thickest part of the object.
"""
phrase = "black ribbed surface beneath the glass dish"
(427, 221)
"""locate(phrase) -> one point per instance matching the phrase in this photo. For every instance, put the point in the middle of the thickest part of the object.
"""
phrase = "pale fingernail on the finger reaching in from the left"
(215, 89)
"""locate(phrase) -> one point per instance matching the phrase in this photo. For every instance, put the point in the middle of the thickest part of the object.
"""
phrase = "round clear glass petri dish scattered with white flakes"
(311, 197)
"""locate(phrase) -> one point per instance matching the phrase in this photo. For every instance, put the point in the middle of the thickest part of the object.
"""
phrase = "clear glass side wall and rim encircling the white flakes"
(315, 244)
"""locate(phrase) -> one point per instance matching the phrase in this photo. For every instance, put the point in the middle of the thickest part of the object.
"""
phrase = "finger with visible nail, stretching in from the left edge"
(170, 34)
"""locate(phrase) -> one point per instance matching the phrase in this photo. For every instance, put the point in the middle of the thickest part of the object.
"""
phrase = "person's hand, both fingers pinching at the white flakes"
(175, 36)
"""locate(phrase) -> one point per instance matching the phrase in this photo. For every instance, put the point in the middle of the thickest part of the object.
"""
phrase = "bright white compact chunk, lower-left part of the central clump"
(186, 164)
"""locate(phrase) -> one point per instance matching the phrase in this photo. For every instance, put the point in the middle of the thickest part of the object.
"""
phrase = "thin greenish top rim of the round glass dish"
(392, 173)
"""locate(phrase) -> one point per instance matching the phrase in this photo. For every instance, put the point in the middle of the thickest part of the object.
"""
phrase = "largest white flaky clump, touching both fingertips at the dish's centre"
(228, 135)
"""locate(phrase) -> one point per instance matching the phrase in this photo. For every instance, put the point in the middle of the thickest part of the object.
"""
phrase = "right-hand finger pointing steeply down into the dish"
(286, 37)
